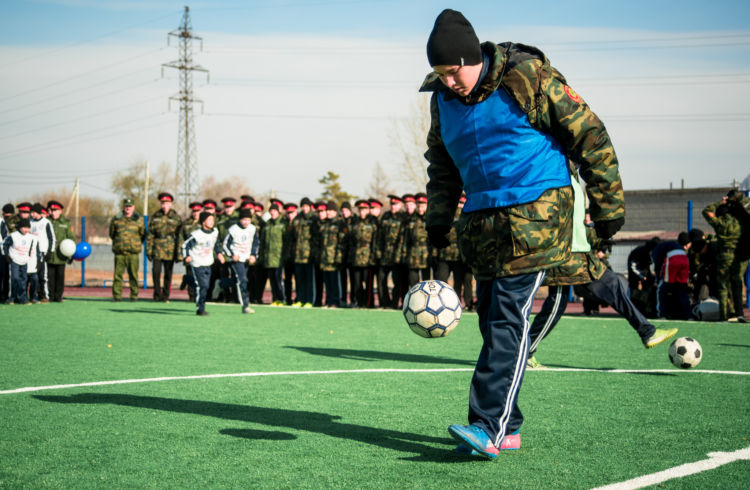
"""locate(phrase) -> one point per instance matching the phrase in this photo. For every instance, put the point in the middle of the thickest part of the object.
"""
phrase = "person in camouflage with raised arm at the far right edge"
(726, 218)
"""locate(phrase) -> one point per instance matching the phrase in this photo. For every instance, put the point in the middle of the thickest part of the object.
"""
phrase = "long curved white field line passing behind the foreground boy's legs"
(349, 371)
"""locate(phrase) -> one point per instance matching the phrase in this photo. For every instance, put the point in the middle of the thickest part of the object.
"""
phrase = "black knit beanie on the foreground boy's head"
(453, 41)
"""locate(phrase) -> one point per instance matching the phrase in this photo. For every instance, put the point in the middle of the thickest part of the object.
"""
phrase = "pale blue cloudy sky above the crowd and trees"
(302, 87)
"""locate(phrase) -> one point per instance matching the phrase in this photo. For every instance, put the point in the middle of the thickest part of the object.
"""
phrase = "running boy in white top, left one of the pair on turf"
(199, 250)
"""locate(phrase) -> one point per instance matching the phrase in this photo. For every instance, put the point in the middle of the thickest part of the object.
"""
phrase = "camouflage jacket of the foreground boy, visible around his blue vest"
(532, 236)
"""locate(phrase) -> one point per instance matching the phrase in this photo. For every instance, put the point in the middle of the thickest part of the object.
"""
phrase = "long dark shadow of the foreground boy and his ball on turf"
(426, 448)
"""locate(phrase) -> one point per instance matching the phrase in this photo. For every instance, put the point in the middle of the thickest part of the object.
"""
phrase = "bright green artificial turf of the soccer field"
(349, 429)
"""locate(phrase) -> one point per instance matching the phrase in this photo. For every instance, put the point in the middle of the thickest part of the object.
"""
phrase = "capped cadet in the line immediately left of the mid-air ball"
(389, 233)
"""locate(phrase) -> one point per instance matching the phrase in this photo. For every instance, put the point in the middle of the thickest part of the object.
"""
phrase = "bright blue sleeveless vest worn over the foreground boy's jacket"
(502, 159)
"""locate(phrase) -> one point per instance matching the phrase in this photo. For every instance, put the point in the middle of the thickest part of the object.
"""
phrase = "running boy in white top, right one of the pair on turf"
(241, 244)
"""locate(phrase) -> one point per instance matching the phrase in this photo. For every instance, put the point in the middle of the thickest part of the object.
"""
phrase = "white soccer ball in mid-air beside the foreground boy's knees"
(432, 309)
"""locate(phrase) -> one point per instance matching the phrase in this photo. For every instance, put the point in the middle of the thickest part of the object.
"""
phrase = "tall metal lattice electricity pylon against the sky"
(187, 158)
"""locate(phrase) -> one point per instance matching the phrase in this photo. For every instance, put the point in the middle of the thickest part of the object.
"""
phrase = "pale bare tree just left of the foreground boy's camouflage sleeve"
(409, 141)
